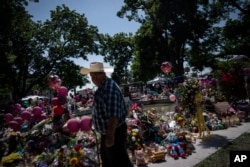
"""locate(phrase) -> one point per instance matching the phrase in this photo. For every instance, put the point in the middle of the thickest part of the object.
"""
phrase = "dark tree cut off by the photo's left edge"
(15, 35)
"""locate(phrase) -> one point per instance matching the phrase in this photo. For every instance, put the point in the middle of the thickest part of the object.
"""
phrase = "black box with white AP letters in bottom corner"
(239, 158)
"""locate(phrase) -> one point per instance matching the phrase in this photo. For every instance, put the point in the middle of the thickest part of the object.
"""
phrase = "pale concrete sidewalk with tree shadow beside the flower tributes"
(216, 140)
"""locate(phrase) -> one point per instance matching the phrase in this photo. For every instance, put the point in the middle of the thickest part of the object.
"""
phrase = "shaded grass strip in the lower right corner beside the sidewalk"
(221, 157)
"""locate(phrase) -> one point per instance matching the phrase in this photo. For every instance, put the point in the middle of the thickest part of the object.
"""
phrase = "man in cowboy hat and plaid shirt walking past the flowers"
(109, 115)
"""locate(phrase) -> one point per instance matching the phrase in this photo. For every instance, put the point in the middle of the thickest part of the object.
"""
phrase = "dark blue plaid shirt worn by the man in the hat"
(108, 102)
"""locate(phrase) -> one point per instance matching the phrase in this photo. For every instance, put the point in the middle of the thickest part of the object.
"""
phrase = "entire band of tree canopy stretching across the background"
(198, 32)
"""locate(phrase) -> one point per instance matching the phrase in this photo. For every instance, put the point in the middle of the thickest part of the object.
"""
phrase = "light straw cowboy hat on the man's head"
(95, 67)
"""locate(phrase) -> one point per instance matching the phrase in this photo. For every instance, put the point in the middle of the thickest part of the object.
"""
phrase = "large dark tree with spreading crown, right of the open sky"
(168, 29)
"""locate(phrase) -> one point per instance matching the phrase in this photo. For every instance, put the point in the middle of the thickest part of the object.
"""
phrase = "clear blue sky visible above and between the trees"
(99, 13)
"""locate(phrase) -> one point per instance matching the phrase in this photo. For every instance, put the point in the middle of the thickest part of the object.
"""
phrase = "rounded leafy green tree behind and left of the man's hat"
(65, 37)
